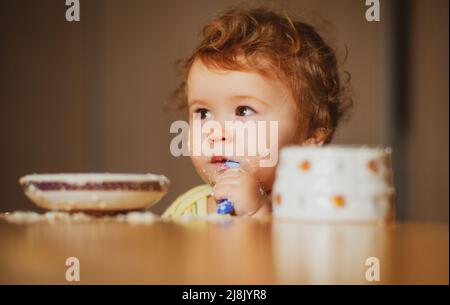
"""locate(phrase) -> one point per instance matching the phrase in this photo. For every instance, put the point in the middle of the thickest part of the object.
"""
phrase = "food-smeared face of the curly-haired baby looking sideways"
(223, 95)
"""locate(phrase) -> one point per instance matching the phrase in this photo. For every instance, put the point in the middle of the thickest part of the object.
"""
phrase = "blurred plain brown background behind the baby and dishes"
(87, 96)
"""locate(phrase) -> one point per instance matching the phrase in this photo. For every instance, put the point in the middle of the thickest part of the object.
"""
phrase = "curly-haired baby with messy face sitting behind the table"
(256, 65)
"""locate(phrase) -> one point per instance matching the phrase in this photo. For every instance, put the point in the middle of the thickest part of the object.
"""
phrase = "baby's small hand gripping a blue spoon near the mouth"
(243, 189)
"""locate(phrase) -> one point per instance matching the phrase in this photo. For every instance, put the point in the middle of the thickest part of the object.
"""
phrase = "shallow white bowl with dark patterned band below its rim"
(94, 192)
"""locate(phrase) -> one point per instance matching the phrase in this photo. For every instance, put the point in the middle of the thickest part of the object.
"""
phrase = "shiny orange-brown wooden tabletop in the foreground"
(239, 251)
